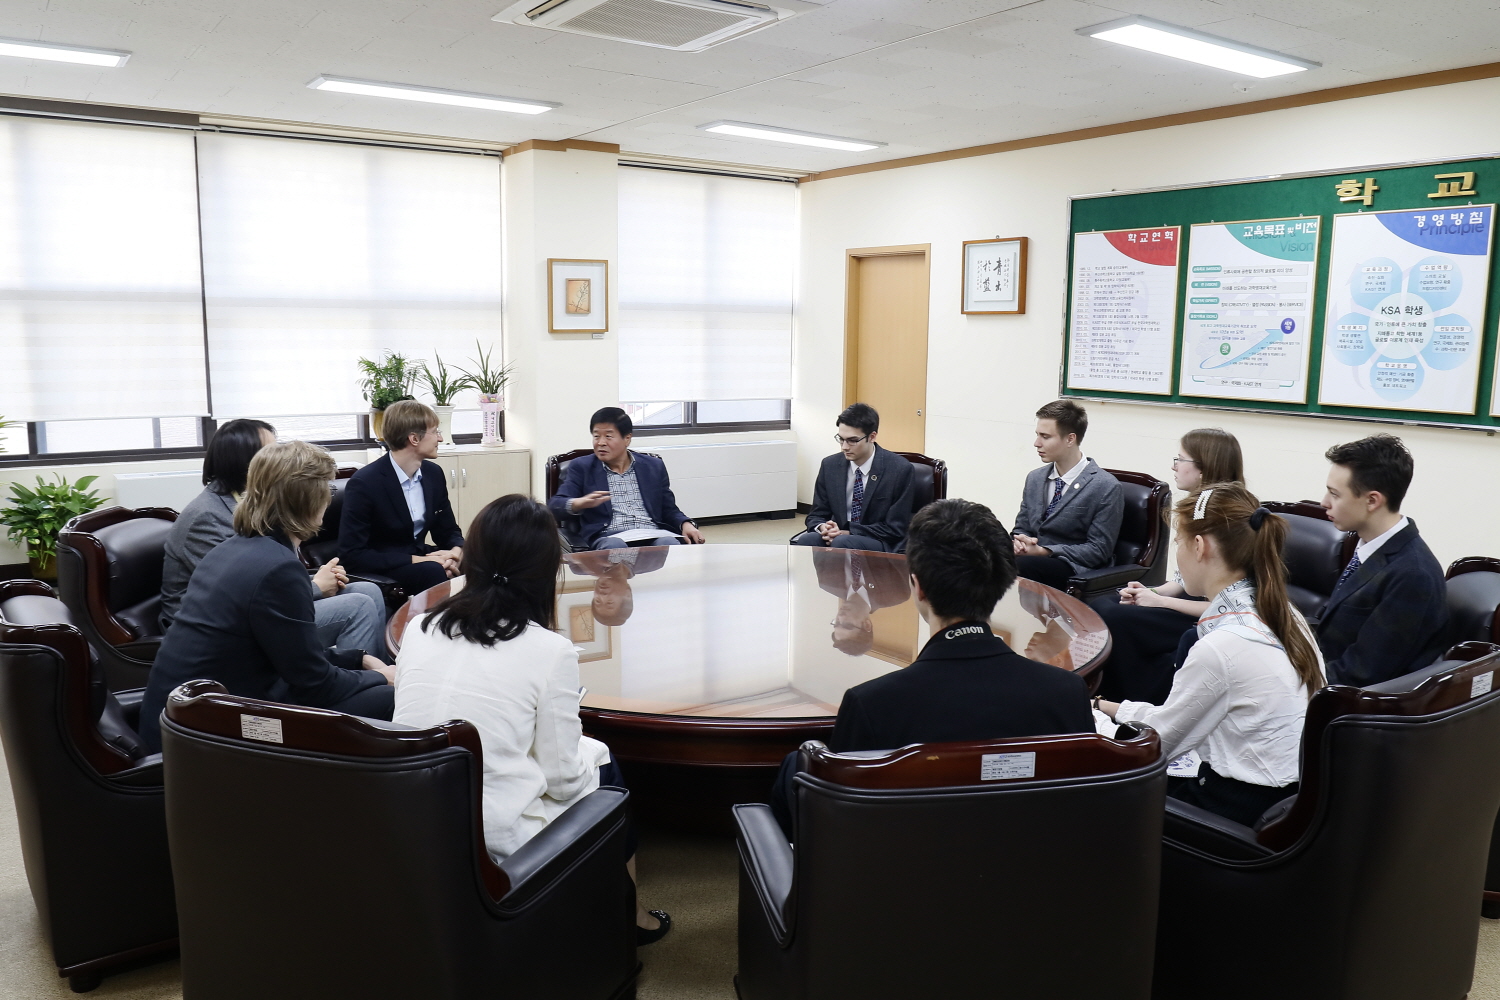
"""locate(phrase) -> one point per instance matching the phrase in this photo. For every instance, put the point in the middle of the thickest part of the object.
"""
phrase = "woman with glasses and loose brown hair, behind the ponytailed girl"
(1147, 623)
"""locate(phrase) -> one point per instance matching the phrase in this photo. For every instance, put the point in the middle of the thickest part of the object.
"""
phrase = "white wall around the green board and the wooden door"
(988, 376)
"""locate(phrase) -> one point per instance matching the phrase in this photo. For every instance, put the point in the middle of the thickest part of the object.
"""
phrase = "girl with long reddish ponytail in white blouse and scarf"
(1243, 693)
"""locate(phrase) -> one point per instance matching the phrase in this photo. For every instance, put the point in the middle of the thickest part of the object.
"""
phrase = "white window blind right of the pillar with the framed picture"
(707, 269)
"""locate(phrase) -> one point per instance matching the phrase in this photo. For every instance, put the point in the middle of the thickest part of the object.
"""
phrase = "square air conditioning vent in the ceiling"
(686, 26)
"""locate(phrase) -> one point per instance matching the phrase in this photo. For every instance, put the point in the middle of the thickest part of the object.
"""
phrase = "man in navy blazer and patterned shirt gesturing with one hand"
(619, 497)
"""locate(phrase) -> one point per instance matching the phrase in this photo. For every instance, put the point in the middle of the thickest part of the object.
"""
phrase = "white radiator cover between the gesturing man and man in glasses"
(742, 478)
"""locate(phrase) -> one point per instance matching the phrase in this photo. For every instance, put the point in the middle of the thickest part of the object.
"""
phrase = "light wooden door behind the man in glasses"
(886, 341)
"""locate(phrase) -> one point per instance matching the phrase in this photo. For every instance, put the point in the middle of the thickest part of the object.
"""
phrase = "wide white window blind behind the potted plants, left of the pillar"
(317, 254)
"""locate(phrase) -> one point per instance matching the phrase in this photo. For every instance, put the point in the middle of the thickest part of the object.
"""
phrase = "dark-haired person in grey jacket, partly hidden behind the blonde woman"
(349, 615)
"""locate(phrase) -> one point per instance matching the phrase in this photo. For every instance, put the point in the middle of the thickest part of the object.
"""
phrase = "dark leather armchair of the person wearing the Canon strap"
(958, 870)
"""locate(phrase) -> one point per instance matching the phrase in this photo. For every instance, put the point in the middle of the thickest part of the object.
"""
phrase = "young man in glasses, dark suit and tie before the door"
(863, 499)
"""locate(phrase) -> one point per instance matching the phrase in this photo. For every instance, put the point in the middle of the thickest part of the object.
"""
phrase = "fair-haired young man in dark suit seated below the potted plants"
(395, 503)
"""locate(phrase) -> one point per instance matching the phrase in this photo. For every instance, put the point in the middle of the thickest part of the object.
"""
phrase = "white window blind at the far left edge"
(101, 305)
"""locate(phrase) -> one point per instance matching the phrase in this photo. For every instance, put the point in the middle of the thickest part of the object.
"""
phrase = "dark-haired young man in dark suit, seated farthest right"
(1390, 609)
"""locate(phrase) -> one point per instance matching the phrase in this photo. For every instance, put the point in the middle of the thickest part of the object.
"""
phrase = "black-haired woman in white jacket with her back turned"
(488, 654)
